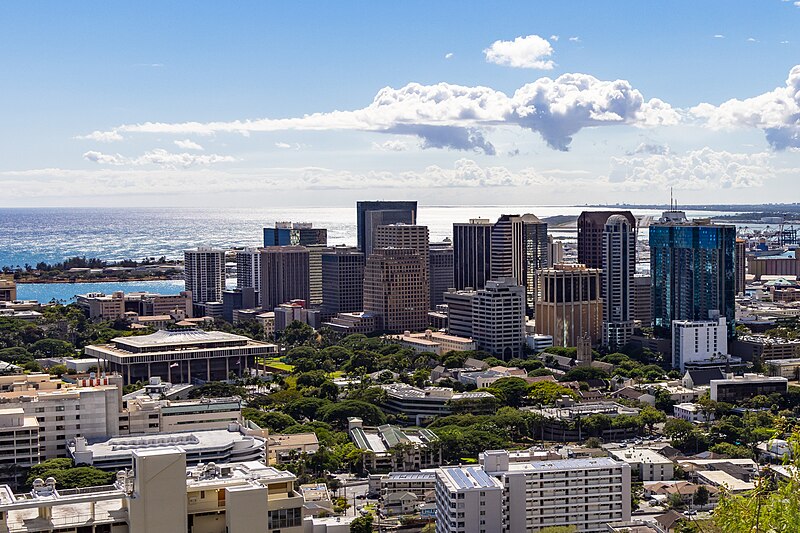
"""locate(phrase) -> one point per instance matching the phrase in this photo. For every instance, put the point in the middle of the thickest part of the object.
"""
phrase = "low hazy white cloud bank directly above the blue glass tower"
(703, 169)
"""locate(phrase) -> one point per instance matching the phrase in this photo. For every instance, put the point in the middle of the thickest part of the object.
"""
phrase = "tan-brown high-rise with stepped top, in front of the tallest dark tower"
(392, 289)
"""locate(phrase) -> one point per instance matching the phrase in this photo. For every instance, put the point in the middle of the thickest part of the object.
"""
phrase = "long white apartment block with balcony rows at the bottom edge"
(501, 495)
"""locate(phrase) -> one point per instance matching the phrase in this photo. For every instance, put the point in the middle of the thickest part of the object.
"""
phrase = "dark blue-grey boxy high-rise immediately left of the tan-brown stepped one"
(342, 281)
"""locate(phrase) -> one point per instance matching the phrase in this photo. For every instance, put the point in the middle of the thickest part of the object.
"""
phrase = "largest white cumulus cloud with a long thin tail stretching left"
(456, 117)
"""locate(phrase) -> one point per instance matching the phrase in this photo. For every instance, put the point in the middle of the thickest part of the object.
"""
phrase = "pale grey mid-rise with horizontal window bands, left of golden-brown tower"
(498, 318)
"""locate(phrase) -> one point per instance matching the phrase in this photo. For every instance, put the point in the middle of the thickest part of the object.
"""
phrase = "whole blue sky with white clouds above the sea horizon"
(449, 103)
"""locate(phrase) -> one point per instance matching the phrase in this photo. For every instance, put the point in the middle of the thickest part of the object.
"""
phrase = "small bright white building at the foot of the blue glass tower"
(699, 342)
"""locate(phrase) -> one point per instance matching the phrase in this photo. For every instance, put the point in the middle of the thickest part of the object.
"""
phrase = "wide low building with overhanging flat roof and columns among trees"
(181, 356)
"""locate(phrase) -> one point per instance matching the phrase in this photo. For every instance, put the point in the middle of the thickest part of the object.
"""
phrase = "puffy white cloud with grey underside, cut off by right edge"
(776, 112)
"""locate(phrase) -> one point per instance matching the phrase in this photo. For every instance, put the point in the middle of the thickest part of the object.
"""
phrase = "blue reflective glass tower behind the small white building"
(692, 265)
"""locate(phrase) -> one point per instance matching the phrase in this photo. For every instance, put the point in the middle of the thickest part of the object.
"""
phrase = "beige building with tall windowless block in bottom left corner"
(161, 495)
